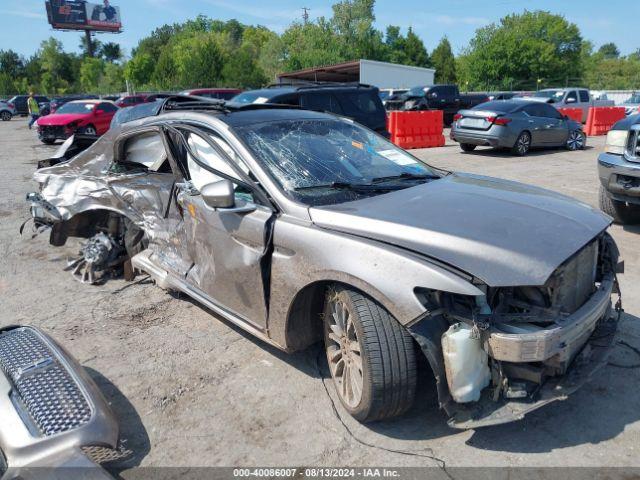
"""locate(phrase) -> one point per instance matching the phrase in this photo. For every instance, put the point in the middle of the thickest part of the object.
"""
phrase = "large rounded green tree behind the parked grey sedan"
(521, 49)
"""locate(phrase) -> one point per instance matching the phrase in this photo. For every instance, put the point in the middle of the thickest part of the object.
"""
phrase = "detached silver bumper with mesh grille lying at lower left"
(50, 408)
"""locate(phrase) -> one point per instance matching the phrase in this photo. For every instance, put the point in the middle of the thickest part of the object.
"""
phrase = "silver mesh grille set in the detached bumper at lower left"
(49, 394)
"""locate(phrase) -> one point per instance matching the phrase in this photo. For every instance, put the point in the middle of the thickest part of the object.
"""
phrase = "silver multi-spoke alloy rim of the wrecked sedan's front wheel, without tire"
(344, 354)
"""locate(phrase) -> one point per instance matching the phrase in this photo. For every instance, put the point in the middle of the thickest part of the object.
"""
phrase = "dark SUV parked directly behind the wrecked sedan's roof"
(357, 101)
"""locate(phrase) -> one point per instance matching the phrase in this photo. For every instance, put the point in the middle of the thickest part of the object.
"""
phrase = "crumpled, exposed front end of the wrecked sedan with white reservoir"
(530, 345)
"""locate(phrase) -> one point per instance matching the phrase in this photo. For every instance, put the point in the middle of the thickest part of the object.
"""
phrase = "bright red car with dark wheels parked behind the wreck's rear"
(92, 117)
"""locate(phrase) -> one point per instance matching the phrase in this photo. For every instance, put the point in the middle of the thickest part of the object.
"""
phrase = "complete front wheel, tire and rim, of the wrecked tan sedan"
(371, 356)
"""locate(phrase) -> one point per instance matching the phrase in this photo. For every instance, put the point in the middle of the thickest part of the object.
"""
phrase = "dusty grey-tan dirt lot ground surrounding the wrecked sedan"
(190, 389)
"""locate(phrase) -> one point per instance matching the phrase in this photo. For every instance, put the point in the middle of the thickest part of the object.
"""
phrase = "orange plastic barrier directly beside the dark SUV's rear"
(416, 129)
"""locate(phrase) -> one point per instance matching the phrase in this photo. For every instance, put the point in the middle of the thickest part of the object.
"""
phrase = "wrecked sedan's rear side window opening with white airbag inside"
(145, 151)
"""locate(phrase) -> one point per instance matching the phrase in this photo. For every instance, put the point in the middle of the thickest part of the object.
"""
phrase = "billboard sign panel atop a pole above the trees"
(82, 15)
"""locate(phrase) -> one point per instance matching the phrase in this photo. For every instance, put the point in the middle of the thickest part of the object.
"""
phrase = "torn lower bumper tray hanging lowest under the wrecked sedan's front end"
(587, 363)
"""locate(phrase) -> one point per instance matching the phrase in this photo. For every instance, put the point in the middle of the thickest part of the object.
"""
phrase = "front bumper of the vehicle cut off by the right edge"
(620, 177)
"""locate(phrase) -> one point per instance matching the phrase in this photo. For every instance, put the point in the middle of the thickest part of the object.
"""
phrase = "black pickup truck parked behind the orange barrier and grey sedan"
(436, 97)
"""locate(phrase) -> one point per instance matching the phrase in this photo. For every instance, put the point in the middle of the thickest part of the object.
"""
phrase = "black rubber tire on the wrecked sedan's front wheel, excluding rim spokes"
(386, 353)
